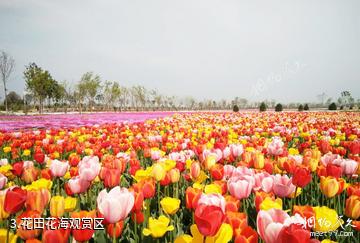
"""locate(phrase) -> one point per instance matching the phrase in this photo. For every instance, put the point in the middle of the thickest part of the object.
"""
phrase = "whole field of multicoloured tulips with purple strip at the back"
(214, 177)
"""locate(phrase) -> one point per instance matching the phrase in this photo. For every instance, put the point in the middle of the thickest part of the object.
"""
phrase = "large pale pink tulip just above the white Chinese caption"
(116, 204)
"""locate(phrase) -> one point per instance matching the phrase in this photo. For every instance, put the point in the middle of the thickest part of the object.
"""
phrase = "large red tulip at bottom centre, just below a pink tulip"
(208, 219)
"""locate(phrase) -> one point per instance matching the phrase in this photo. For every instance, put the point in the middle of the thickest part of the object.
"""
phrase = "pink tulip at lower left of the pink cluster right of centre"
(240, 187)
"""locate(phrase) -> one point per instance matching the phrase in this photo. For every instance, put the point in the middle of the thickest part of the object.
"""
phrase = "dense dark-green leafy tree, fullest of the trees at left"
(40, 83)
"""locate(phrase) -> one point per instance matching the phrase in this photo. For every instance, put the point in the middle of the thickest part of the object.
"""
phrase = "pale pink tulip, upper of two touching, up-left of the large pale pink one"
(89, 168)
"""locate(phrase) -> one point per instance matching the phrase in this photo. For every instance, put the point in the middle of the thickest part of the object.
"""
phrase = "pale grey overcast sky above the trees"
(289, 51)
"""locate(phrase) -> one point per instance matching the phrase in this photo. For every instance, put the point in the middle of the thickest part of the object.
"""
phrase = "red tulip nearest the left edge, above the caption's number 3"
(14, 200)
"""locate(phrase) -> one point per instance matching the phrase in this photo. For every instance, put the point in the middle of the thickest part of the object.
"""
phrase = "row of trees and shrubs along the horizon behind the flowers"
(91, 93)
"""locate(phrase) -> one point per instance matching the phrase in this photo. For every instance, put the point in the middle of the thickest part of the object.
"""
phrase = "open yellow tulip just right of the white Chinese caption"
(158, 227)
